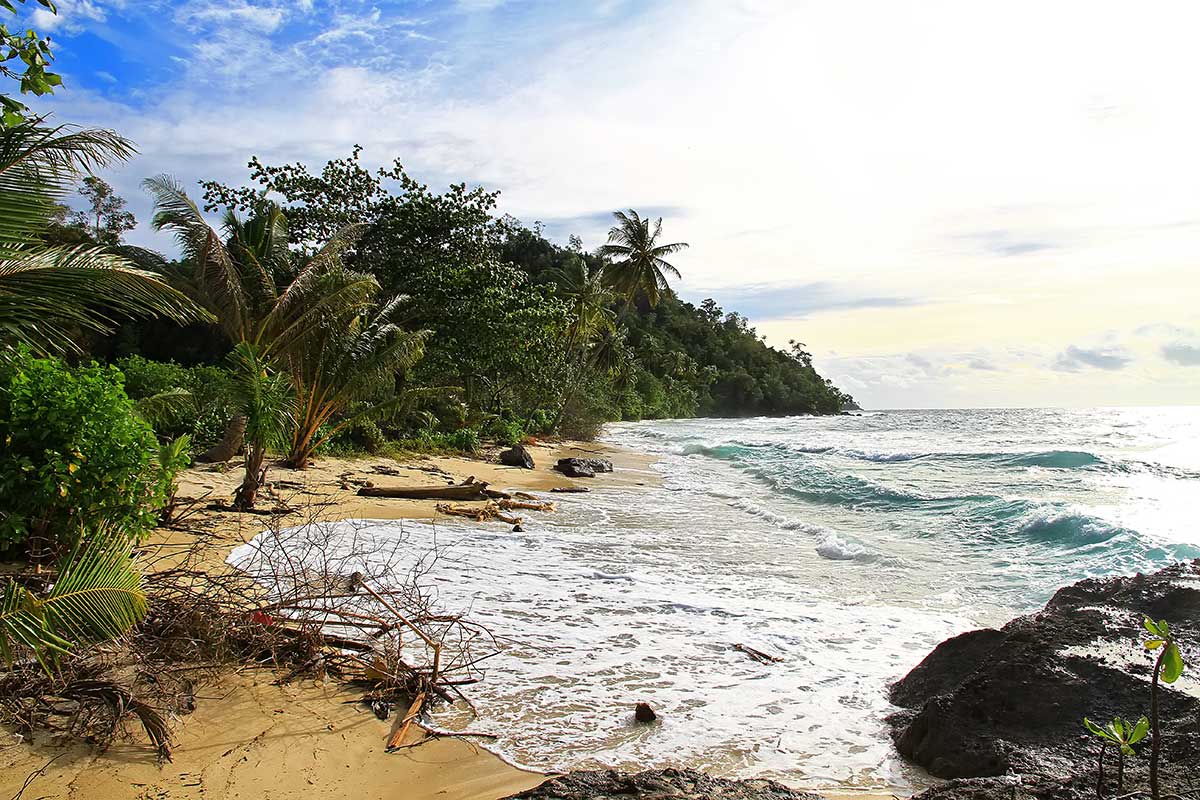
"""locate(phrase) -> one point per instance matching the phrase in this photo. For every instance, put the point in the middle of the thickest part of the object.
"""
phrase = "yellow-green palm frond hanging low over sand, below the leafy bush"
(97, 598)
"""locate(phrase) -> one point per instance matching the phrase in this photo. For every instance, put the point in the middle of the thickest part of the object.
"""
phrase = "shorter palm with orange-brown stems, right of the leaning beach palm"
(355, 359)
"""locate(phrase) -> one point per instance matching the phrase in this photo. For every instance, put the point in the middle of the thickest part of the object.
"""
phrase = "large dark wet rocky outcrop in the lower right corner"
(1011, 702)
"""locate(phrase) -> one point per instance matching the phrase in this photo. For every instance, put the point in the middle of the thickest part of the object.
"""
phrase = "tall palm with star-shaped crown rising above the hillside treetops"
(639, 267)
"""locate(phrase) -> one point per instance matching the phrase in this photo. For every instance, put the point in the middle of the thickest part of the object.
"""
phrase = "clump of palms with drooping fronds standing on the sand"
(237, 276)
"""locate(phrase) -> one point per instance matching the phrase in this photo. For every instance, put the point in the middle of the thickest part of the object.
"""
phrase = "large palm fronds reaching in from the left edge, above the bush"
(51, 294)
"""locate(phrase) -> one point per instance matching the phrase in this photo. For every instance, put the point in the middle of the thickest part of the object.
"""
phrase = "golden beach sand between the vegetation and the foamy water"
(250, 738)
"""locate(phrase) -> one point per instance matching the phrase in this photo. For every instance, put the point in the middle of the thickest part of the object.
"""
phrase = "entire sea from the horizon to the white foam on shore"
(848, 546)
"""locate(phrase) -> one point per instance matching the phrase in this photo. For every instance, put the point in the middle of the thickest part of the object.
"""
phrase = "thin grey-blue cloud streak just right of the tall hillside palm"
(799, 302)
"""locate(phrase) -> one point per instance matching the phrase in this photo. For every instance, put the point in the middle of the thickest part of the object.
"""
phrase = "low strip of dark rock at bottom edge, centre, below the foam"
(658, 785)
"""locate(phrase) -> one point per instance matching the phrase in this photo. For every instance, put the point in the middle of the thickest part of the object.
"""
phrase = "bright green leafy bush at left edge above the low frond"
(74, 454)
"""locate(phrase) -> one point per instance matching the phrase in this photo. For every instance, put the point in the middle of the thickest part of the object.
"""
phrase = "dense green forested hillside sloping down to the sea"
(505, 334)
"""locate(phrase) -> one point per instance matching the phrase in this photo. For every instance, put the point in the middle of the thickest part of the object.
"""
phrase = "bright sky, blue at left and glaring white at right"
(952, 204)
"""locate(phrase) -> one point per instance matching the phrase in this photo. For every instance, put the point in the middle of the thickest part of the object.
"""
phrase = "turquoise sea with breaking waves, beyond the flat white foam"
(1006, 504)
